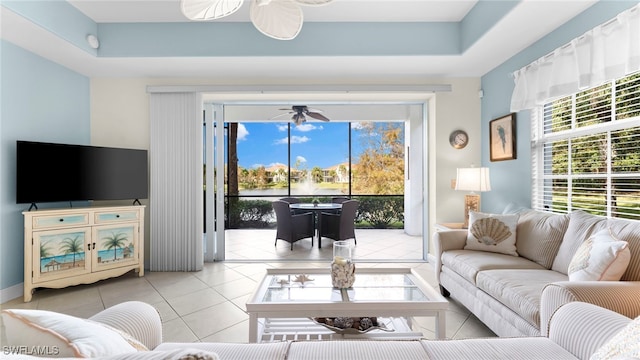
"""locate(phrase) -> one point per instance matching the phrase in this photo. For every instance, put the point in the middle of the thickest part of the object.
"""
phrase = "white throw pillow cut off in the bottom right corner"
(623, 345)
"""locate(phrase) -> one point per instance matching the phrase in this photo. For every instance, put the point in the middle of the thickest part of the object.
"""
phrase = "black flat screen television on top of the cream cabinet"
(49, 172)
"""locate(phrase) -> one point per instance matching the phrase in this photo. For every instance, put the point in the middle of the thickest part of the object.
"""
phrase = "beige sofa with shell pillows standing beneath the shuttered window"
(517, 295)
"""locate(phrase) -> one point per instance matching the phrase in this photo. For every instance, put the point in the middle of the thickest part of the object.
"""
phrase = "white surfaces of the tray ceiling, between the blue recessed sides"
(529, 21)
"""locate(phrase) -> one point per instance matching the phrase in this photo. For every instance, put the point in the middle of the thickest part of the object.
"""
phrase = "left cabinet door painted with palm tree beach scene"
(62, 253)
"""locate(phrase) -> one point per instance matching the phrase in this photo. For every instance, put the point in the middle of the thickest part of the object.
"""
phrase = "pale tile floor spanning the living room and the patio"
(209, 305)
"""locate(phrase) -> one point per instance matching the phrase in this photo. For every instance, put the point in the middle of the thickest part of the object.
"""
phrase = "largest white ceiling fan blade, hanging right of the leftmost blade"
(281, 20)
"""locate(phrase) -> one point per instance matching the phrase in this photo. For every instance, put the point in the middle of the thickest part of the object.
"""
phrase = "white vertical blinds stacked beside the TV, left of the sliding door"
(176, 202)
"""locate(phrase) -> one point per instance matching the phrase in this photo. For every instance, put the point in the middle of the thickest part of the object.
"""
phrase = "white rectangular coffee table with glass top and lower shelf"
(284, 308)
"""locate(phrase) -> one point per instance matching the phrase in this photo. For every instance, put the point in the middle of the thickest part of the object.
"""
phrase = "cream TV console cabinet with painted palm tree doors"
(66, 247)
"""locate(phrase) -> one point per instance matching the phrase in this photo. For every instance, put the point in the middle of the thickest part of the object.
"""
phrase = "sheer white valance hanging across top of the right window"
(609, 51)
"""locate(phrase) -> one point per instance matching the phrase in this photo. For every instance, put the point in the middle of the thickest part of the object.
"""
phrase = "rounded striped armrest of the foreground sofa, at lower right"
(582, 328)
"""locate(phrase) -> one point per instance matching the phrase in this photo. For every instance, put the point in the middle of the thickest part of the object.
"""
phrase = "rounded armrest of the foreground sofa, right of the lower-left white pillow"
(136, 318)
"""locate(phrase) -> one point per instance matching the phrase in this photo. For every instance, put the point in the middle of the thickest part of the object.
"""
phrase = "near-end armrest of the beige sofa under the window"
(619, 296)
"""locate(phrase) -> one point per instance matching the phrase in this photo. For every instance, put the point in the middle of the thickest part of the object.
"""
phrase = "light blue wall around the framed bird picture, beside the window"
(511, 179)
